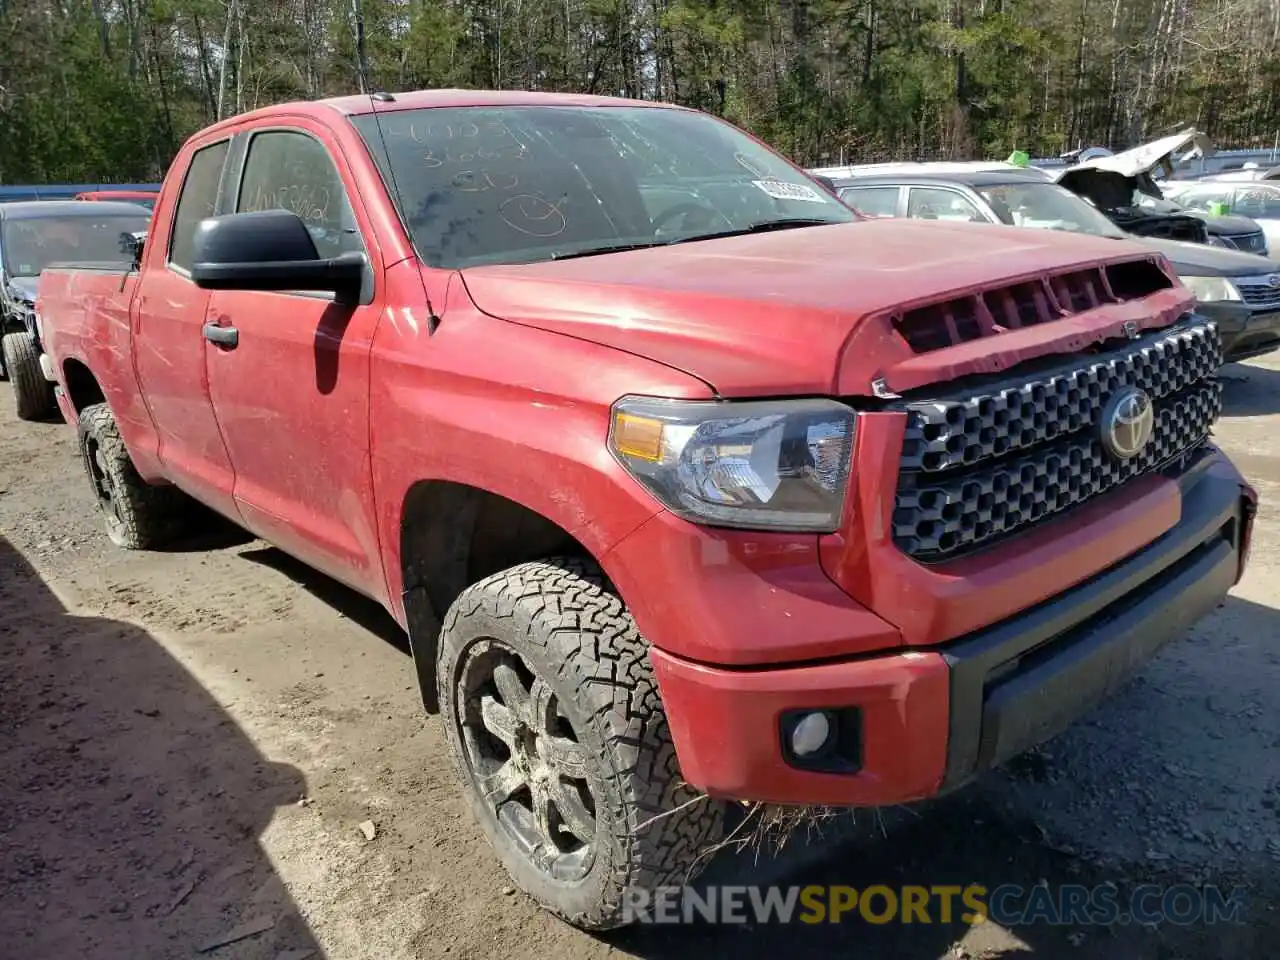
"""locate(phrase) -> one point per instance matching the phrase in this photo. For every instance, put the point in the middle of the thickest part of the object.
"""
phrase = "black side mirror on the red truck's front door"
(271, 250)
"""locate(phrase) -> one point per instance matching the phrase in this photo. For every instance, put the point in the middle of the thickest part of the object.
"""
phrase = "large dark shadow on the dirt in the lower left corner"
(131, 803)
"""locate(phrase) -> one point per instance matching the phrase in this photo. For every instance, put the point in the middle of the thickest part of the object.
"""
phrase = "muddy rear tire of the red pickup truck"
(145, 515)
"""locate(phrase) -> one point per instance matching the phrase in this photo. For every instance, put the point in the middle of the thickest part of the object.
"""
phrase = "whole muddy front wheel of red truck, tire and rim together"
(560, 737)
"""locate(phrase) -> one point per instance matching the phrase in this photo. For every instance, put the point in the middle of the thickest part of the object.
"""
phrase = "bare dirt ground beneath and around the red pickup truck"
(190, 742)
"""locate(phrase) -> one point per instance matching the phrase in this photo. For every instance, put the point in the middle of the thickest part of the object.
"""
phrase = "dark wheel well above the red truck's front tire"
(454, 536)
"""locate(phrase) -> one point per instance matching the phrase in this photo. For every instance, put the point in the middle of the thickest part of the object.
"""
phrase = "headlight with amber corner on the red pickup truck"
(774, 465)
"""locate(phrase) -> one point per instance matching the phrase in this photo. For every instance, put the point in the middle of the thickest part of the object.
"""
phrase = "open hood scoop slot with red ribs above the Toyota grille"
(990, 313)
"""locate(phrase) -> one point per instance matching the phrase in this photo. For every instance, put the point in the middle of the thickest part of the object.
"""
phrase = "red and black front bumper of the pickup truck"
(932, 719)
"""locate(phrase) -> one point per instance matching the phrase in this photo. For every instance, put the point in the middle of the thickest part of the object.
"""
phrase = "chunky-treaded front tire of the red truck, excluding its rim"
(653, 830)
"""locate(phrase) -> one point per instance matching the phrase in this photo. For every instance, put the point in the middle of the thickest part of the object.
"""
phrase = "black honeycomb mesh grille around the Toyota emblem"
(979, 467)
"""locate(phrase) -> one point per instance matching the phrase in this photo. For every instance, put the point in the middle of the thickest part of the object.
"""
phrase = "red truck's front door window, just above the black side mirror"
(287, 171)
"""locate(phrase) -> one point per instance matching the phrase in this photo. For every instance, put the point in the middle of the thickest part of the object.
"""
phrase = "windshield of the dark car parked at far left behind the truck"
(31, 245)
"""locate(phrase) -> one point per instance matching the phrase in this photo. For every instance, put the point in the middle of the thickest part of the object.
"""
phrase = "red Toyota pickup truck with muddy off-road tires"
(687, 483)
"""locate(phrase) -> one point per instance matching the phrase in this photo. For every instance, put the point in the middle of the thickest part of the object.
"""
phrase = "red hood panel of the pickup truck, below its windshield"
(776, 313)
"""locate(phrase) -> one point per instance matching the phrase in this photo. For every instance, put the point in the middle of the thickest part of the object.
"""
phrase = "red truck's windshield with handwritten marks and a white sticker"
(525, 184)
